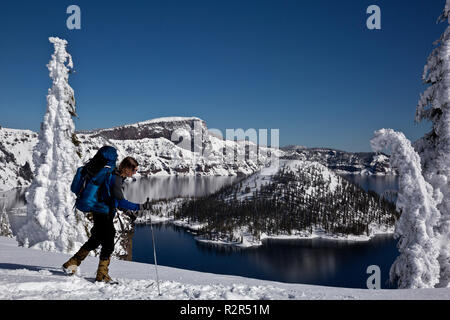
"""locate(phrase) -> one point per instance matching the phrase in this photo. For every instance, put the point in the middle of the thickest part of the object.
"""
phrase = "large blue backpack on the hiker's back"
(91, 182)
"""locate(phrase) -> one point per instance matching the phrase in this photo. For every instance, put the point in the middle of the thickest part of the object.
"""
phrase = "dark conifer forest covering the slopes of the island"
(283, 205)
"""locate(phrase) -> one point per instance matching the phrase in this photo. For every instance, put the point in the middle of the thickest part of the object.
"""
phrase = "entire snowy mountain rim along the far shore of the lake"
(176, 146)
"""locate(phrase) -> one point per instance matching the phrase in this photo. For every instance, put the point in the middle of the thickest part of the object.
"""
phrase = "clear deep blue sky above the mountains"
(308, 68)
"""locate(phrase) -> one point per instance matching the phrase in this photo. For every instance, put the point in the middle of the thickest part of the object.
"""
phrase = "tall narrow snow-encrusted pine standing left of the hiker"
(51, 221)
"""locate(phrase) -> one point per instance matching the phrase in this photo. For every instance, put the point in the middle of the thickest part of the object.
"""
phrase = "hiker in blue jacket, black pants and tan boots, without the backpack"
(103, 230)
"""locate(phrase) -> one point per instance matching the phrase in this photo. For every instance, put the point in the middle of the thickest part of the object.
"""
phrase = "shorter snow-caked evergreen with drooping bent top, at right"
(417, 265)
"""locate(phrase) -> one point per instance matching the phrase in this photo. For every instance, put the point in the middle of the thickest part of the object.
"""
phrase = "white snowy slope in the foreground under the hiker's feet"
(33, 274)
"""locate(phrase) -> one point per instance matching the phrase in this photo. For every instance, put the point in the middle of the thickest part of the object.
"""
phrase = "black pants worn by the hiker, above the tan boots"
(102, 234)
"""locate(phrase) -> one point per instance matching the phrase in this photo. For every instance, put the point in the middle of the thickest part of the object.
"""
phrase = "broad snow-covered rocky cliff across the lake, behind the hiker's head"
(176, 146)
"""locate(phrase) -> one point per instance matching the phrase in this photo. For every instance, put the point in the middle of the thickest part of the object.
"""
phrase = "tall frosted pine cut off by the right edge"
(434, 147)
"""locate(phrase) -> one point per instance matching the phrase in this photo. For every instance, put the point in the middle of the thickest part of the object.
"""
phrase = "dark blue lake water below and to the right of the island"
(309, 261)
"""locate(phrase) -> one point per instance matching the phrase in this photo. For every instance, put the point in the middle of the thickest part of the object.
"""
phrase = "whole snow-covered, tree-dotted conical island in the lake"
(297, 200)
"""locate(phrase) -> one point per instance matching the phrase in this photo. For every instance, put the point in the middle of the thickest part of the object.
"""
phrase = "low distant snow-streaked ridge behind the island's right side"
(342, 161)
